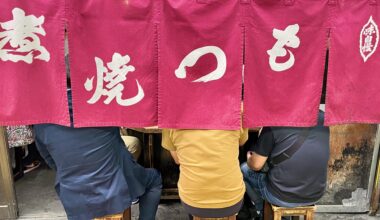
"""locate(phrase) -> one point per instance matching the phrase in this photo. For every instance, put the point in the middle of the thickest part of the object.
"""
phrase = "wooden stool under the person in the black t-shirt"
(272, 212)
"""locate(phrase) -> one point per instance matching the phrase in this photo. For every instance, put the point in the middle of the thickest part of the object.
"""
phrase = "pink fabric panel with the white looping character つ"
(200, 64)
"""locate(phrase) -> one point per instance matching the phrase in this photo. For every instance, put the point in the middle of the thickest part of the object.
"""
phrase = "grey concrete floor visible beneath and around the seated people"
(37, 200)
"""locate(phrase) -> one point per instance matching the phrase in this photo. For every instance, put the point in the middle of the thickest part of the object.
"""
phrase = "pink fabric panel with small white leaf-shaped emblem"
(353, 78)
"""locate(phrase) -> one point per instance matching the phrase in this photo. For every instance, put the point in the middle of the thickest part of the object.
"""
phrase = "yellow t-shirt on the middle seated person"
(210, 175)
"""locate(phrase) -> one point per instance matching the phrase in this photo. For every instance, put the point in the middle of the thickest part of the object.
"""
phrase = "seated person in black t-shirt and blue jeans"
(299, 180)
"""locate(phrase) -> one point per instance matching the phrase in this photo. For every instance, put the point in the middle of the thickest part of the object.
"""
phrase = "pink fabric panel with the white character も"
(285, 55)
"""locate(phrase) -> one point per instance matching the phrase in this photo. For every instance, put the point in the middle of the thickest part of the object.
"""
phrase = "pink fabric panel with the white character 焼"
(113, 62)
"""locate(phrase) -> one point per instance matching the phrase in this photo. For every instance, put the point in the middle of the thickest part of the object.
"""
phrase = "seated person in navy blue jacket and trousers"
(96, 175)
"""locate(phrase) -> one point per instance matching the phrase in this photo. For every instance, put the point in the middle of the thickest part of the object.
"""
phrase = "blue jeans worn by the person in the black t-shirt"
(256, 188)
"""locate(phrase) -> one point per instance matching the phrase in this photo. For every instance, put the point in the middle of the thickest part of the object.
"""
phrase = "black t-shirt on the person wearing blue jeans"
(301, 178)
